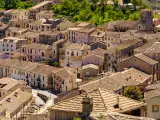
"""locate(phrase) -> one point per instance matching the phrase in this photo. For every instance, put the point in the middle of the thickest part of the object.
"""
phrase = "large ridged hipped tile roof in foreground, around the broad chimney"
(103, 101)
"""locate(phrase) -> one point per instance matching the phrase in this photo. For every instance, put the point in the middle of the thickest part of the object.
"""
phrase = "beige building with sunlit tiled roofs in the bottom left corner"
(15, 97)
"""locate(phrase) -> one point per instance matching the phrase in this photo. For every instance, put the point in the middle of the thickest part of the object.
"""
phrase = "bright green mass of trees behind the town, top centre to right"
(97, 11)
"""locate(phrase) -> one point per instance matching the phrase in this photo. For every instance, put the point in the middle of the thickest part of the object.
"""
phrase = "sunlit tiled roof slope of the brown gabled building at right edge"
(145, 59)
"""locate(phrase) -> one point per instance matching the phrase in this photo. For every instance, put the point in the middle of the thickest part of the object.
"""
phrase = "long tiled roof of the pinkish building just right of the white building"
(37, 46)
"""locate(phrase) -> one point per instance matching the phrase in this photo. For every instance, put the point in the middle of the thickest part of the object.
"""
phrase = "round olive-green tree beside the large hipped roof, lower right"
(133, 92)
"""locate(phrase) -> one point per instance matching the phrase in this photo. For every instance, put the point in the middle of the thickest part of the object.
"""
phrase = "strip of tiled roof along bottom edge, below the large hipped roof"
(115, 116)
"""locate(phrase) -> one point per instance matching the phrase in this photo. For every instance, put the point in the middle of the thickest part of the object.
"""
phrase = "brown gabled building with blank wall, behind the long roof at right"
(142, 63)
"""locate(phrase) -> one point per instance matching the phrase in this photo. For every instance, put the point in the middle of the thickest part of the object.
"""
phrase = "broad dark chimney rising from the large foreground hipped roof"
(87, 105)
